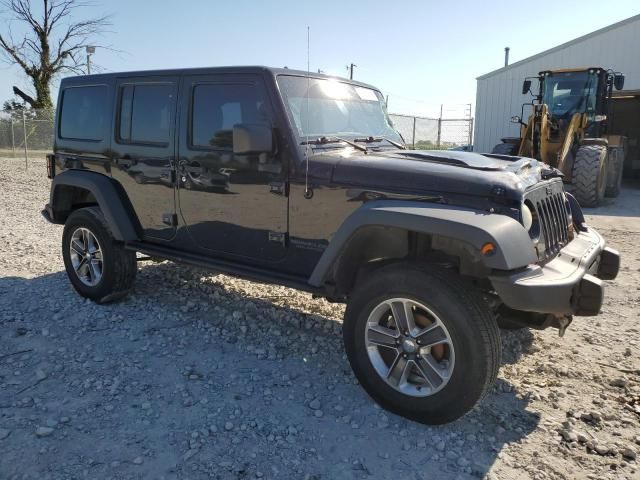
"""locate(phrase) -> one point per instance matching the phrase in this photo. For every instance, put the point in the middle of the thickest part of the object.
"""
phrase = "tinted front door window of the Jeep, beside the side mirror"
(216, 108)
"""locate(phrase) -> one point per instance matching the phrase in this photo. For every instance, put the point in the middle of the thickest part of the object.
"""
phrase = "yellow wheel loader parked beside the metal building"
(567, 129)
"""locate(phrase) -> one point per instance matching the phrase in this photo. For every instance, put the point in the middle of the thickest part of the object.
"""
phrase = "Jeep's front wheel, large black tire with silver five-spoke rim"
(422, 343)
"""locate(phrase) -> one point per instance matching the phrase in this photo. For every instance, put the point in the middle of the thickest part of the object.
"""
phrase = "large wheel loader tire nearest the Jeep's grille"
(590, 175)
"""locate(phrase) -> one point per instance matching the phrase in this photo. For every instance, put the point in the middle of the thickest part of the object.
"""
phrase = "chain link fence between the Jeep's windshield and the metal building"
(434, 133)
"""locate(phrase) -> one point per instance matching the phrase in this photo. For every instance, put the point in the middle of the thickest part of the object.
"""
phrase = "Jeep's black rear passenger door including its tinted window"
(143, 150)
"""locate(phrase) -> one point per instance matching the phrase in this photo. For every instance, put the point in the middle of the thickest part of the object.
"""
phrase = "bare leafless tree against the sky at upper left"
(52, 43)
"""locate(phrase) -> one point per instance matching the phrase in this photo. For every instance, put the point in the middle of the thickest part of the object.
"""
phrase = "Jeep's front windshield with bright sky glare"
(330, 108)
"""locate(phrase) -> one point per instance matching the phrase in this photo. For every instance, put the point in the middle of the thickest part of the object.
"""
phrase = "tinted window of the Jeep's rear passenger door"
(145, 114)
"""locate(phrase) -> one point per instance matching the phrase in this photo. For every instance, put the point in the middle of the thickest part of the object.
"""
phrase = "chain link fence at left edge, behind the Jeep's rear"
(26, 133)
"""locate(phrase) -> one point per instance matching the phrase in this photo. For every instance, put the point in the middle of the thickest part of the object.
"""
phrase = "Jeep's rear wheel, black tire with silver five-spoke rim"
(98, 266)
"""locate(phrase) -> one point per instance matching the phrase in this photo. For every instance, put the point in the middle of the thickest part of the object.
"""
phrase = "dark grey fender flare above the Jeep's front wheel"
(514, 248)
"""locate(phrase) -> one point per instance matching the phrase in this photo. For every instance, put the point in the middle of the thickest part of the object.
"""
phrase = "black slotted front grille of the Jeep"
(551, 218)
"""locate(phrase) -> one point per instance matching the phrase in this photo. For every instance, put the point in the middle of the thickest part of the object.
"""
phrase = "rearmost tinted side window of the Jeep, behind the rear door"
(84, 113)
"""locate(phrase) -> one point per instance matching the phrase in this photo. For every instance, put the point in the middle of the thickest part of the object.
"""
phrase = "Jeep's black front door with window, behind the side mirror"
(233, 205)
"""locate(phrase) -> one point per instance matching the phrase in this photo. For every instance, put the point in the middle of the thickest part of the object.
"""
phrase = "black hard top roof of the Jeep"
(83, 79)
